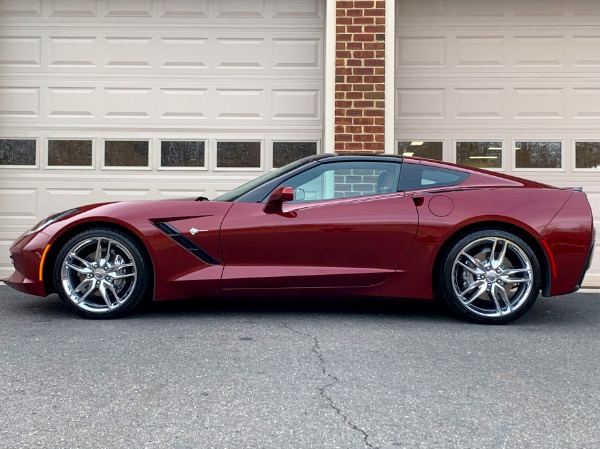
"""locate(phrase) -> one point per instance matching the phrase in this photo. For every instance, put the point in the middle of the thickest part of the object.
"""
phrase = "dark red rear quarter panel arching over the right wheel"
(445, 215)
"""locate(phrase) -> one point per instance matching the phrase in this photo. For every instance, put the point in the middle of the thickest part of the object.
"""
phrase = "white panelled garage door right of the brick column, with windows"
(509, 85)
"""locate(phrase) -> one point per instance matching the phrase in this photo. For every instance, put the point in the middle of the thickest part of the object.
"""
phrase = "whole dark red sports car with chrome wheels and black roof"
(368, 226)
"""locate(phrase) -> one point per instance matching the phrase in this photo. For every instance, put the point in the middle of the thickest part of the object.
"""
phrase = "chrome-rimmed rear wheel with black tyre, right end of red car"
(490, 276)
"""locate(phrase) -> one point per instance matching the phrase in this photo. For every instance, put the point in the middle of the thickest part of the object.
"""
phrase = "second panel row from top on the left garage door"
(144, 53)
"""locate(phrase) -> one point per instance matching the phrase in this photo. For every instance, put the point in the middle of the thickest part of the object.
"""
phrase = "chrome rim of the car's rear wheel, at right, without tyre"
(492, 277)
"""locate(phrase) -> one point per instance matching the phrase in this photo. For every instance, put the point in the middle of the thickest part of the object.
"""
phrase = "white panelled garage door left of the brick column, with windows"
(148, 99)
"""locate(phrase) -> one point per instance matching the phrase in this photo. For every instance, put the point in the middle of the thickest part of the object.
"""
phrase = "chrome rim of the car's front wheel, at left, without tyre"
(99, 274)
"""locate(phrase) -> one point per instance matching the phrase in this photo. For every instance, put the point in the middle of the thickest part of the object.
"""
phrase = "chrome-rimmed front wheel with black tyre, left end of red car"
(101, 273)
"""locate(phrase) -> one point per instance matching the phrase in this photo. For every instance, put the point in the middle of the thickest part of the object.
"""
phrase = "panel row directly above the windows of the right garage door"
(511, 101)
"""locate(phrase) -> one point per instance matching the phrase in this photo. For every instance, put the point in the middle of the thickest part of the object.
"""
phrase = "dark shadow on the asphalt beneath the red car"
(577, 308)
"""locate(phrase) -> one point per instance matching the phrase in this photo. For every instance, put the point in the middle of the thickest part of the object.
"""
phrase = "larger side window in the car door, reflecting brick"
(345, 180)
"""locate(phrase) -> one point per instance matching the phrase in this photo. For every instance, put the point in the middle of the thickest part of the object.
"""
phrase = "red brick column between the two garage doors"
(359, 76)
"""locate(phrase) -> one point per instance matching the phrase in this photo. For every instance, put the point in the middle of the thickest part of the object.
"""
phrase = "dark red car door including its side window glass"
(348, 226)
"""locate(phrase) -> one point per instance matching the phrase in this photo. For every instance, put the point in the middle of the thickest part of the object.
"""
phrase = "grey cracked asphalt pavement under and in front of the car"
(311, 374)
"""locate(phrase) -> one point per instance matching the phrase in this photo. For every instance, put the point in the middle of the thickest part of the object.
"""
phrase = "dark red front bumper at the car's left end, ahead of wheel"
(26, 254)
